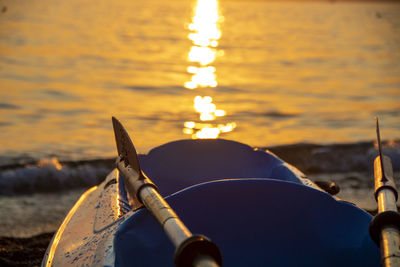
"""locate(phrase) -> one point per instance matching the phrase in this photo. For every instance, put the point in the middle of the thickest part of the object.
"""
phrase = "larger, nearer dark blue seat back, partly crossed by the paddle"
(256, 222)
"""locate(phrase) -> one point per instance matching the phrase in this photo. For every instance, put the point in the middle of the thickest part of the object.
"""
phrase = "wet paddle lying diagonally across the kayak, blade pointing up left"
(191, 250)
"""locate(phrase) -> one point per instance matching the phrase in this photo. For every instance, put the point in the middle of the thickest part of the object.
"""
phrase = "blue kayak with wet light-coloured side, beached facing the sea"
(257, 209)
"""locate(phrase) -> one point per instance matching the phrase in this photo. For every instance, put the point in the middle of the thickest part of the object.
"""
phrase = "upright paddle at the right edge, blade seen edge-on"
(385, 226)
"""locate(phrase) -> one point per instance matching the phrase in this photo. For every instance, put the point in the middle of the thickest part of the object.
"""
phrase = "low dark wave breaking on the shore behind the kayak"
(51, 175)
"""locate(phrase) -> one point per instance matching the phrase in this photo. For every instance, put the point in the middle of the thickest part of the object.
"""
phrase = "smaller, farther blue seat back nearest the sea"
(180, 164)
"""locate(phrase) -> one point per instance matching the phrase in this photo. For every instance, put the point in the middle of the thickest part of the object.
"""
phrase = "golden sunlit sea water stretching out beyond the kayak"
(266, 73)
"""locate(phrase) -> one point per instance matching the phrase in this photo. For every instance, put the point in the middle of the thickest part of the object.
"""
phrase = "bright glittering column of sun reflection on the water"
(205, 33)
